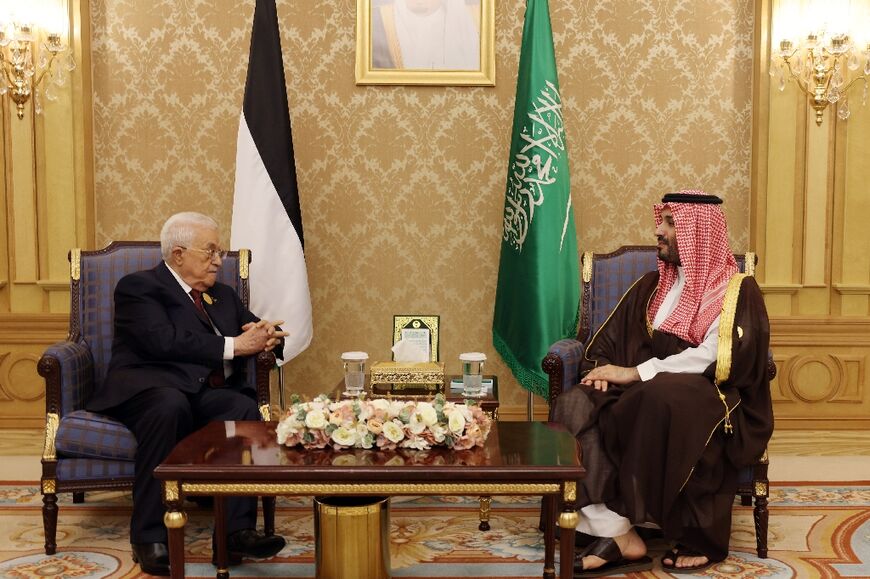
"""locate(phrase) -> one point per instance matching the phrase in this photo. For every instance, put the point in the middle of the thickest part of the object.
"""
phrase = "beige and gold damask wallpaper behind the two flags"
(402, 187)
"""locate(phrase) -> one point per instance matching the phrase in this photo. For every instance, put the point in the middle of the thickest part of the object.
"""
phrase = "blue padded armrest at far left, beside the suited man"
(68, 369)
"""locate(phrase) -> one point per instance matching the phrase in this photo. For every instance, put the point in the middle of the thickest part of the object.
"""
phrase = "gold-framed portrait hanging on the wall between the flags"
(430, 42)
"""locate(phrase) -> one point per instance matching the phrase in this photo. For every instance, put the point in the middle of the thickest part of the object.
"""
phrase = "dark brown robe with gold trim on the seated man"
(657, 451)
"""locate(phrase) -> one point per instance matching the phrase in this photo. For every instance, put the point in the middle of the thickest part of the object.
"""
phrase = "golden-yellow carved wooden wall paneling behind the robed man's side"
(808, 226)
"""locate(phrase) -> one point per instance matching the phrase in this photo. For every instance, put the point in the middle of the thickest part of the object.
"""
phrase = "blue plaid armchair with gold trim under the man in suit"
(85, 451)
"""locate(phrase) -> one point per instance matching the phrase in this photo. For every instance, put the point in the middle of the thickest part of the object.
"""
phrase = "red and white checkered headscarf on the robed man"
(708, 263)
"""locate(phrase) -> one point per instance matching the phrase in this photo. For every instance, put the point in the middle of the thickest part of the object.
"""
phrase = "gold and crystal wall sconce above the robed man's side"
(824, 65)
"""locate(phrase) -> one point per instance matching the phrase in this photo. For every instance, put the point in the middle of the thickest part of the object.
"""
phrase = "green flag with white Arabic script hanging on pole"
(538, 291)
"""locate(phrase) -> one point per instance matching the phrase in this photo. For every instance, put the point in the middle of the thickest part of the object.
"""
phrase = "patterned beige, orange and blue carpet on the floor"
(816, 530)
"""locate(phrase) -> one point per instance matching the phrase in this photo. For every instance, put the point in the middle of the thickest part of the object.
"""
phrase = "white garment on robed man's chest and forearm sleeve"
(691, 360)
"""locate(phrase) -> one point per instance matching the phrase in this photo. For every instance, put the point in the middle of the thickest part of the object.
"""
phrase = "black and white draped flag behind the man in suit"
(266, 215)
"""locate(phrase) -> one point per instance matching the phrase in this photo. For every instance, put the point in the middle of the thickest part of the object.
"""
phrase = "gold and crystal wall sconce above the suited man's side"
(28, 64)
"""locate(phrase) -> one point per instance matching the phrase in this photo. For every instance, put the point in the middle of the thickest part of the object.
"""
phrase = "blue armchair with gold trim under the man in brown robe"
(604, 279)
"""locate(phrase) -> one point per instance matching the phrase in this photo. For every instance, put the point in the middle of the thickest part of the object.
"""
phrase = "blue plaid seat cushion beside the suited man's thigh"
(84, 434)
